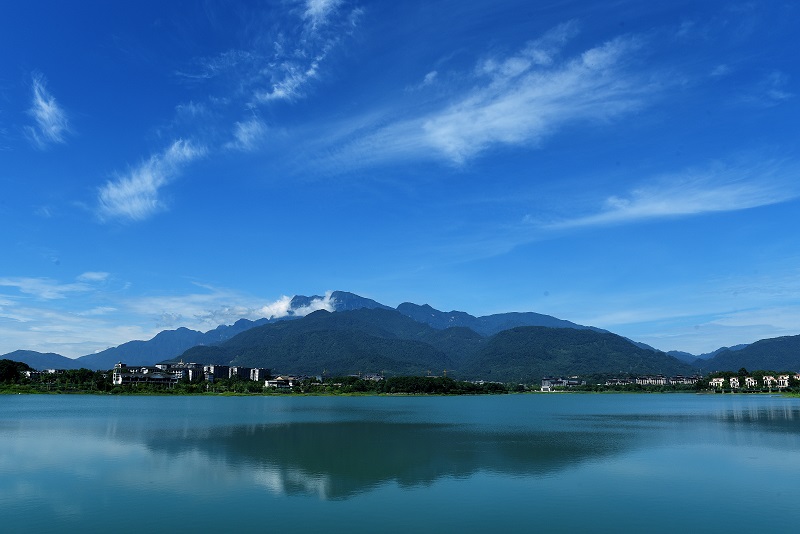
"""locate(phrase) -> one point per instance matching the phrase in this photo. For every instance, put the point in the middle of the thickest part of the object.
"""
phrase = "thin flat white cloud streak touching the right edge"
(718, 188)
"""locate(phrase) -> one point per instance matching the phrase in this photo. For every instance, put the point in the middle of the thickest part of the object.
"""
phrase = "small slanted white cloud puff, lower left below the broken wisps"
(135, 196)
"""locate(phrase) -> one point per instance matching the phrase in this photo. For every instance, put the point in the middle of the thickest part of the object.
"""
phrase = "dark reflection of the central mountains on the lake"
(338, 460)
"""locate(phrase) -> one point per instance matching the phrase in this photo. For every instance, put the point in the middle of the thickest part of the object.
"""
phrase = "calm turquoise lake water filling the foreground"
(603, 463)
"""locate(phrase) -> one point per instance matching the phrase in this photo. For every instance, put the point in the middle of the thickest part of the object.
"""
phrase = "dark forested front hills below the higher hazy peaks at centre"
(372, 340)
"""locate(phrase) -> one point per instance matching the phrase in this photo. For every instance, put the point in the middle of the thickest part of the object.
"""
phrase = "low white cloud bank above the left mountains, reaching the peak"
(79, 317)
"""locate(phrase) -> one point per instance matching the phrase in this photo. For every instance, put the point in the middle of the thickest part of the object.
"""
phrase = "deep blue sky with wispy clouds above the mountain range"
(630, 165)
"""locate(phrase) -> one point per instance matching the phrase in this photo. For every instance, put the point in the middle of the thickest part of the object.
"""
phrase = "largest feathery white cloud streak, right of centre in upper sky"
(518, 100)
